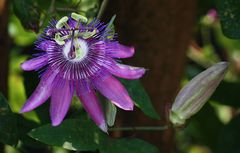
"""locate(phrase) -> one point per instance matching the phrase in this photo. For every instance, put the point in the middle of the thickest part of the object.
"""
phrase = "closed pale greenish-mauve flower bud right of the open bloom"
(195, 94)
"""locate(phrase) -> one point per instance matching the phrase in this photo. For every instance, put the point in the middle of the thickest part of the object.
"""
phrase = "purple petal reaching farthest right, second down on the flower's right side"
(125, 71)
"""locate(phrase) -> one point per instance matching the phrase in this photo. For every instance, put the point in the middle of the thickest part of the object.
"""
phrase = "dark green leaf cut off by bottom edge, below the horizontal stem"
(127, 146)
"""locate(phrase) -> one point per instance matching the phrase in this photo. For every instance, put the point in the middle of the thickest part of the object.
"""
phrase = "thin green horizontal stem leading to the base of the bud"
(140, 128)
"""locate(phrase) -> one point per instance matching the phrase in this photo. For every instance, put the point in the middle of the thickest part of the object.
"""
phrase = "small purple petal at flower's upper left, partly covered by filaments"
(45, 45)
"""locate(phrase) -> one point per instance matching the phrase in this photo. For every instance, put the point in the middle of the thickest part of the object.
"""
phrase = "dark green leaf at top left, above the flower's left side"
(28, 13)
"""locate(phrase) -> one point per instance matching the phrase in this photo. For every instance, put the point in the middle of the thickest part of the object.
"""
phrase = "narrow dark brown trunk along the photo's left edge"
(4, 47)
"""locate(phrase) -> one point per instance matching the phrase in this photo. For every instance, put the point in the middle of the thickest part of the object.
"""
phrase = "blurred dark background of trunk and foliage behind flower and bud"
(175, 40)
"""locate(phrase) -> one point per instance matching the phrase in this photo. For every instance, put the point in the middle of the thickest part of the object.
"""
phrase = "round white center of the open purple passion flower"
(75, 50)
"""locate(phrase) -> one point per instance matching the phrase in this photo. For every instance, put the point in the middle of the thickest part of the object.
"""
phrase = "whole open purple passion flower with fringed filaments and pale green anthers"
(78, 55)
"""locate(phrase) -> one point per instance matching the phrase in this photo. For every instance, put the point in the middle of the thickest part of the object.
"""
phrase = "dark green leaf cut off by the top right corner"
(229, 12)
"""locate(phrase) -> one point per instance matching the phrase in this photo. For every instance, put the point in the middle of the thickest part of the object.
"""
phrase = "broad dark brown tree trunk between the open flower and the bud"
(160, 31)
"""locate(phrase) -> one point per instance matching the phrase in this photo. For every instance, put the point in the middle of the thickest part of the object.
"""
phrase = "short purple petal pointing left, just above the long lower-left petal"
(35, 63)
